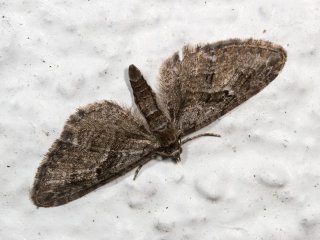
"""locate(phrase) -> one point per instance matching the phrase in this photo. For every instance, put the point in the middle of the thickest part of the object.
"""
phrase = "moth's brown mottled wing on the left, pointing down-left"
(100, 142)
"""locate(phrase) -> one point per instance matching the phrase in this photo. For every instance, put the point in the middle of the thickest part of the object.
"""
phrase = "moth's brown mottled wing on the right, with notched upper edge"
(213, 79)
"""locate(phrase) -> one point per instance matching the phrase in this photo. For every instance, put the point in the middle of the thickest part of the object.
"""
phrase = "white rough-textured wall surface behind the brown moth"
(260, 181)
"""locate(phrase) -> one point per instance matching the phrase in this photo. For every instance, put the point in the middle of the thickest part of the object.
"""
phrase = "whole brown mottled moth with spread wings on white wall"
(103, 141)
